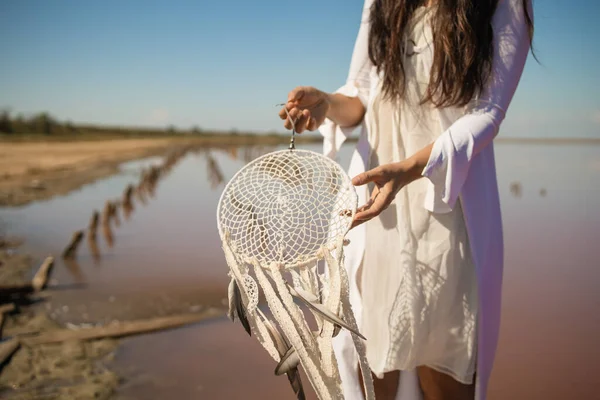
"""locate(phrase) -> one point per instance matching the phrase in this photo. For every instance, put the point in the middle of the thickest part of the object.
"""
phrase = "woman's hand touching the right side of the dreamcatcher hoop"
(388, 179)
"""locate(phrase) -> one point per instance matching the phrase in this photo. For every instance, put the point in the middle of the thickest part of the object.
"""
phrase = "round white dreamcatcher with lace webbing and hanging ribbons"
(282, 221)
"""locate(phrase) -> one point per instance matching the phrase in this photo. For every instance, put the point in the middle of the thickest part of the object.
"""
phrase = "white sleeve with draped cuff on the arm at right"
(454, 150)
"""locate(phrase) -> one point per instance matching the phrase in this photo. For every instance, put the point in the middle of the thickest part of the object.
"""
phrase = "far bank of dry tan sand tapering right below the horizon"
(39, 169)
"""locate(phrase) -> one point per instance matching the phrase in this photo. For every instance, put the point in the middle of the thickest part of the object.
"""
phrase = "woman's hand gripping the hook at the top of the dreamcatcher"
(307, 108)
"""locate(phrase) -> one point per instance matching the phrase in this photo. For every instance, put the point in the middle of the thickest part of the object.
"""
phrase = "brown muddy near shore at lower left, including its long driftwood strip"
(55, 359)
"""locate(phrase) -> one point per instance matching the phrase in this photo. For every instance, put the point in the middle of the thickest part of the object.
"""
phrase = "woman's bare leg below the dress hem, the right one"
(438, 386)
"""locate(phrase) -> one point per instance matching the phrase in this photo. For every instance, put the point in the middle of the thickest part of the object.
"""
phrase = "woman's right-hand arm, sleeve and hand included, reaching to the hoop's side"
(446, 162)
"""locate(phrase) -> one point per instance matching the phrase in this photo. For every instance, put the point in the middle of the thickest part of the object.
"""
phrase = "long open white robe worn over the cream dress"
(460, 173)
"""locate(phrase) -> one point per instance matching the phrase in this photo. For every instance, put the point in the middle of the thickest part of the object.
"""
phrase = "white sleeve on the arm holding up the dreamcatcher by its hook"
(357, 85)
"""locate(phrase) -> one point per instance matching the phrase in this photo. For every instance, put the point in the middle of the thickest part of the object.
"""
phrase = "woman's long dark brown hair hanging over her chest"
(462, 40)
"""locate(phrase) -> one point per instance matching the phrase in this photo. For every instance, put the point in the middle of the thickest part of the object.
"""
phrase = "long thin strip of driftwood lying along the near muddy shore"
(120, 329)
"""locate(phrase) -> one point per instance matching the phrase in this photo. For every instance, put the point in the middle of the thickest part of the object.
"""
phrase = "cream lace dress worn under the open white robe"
(417, 281)
